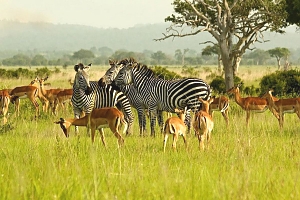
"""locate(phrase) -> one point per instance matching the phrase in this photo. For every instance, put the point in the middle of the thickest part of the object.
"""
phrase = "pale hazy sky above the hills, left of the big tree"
(97, 13)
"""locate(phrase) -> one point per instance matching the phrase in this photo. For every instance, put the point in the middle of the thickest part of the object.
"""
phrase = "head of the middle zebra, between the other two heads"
(111, 73)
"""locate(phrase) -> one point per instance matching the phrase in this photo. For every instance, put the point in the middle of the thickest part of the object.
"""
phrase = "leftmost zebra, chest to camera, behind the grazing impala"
(88, 95)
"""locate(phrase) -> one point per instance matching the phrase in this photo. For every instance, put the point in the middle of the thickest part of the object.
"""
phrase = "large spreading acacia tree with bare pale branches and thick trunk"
(234, 25)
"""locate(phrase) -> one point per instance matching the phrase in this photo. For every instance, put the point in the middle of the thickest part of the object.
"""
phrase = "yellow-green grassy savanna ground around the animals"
(258, 162)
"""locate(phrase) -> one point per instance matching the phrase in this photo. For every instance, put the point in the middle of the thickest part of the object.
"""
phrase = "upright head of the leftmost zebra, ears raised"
(82, 78)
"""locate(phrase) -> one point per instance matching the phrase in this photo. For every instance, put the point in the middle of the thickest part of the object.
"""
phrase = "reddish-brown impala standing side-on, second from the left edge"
(30, 92)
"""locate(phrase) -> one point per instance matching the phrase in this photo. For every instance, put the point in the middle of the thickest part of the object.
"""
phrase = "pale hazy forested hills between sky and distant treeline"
(16, 36)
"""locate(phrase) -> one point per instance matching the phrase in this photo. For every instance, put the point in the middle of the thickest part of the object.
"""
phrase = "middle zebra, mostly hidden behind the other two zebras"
(135, 99)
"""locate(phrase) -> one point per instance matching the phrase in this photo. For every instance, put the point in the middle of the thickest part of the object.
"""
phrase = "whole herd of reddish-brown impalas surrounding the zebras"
(112, 118)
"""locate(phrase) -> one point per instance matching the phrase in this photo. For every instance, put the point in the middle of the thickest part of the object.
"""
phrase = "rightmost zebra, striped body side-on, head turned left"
(162, 94)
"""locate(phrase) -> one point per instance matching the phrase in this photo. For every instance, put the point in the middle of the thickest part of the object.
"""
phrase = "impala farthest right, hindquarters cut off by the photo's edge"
(281, 106)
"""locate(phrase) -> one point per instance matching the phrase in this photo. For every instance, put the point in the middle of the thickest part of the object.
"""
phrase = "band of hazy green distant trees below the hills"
(101, 56)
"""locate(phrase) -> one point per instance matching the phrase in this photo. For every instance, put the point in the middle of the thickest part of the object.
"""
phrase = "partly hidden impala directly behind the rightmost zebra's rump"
(220, 104)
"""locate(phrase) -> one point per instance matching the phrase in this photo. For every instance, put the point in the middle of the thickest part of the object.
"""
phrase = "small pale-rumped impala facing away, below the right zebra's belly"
(175, 126)
